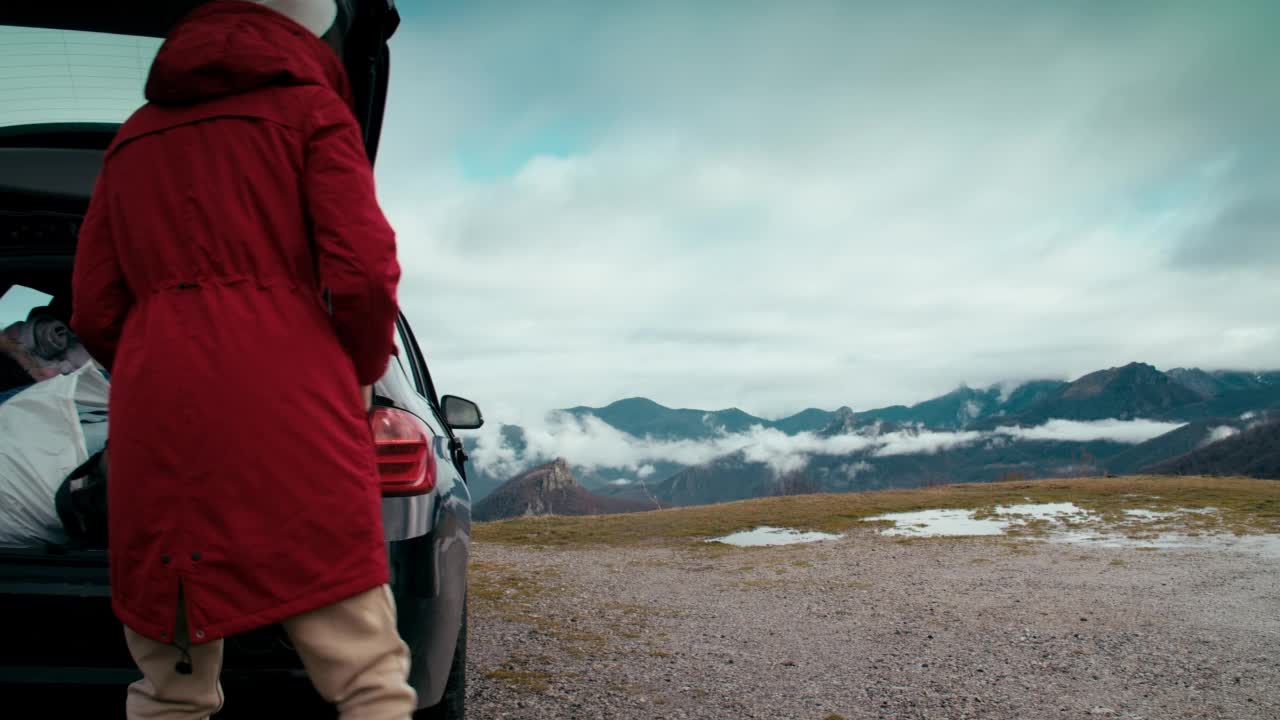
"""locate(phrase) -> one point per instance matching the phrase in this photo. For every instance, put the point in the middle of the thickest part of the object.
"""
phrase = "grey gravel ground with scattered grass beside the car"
(870, 627)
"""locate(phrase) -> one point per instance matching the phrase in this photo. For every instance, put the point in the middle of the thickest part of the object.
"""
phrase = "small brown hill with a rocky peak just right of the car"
(550, 490)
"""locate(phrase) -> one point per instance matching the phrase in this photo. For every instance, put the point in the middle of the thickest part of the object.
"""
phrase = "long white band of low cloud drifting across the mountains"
(589, 443)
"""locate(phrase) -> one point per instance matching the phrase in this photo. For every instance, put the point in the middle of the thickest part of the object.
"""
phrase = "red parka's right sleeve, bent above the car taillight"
(355, 245)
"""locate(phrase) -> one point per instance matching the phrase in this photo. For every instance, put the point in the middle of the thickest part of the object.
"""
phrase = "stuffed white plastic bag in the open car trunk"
(42, 443)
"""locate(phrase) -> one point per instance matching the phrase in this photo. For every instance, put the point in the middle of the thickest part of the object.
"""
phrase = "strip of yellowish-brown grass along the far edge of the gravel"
(1245, 507)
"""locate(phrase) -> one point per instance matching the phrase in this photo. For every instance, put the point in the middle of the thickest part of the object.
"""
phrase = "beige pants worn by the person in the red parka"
(351, 651)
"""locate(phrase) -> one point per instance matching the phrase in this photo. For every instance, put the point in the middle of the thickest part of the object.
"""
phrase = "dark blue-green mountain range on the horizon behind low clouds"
(968, 435)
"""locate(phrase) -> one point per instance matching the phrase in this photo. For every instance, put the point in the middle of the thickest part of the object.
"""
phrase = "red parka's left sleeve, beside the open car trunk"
(100, 297)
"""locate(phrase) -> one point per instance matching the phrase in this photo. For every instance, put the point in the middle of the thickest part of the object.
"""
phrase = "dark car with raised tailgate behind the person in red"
(57, 623)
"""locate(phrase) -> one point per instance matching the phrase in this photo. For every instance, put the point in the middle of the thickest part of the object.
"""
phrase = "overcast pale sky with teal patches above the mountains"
(779, 206)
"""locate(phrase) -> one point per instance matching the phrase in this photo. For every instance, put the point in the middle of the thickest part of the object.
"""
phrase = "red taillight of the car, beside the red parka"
(405, 459)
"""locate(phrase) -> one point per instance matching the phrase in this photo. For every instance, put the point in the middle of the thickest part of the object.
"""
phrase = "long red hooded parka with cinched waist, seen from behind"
(237, 279)
